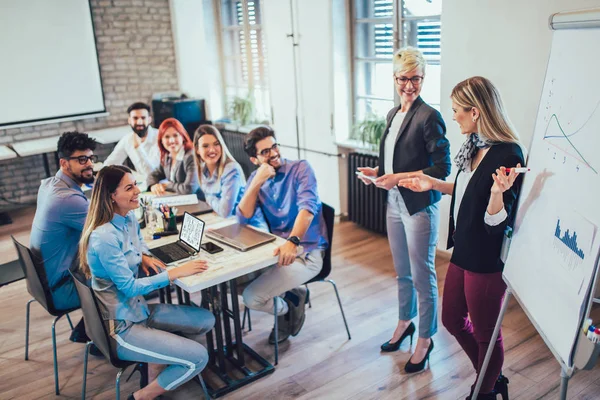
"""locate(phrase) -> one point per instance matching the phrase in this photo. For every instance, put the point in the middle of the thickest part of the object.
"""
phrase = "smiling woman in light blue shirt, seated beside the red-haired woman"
(221, 177)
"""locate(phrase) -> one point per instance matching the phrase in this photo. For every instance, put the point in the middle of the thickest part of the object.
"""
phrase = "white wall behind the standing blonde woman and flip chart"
(506, 41)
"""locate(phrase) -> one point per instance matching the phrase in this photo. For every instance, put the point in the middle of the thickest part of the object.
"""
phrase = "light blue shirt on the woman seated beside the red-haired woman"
(224, 193)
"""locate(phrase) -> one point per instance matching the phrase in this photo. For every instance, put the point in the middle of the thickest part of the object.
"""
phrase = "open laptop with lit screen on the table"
(188, 245)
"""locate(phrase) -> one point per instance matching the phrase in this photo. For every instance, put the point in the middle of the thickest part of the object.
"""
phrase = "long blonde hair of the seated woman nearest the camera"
(101, 208)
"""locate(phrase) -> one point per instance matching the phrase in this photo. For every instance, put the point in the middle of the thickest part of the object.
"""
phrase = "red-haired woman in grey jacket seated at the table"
(177, 171)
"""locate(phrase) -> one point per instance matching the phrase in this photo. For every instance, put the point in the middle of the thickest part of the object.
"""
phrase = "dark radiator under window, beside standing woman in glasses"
(366, 204)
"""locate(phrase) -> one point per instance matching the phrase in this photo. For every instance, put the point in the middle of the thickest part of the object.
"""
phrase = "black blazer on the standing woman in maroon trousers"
(477, 245)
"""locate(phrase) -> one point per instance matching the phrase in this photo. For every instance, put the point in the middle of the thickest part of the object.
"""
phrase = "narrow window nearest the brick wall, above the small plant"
(243, 54)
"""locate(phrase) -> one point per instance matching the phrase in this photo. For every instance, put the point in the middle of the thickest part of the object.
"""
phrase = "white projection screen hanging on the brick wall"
(50, 65)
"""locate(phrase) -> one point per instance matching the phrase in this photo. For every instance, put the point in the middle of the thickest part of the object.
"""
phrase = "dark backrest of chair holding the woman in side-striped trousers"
(94, 325)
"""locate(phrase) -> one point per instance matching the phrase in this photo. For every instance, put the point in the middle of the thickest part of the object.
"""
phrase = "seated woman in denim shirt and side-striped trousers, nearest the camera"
(111, 251)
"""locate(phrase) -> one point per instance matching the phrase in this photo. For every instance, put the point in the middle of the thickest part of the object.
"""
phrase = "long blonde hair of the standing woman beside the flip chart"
(493, 124)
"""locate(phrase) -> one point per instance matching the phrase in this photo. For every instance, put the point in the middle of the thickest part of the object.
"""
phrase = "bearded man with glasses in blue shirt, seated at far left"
(61, 211)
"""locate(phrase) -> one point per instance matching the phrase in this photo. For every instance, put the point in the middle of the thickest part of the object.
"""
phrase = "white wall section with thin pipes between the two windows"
(310, 61)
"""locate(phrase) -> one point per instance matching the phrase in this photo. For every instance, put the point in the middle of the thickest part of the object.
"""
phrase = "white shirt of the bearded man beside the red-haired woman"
(145, 159)
